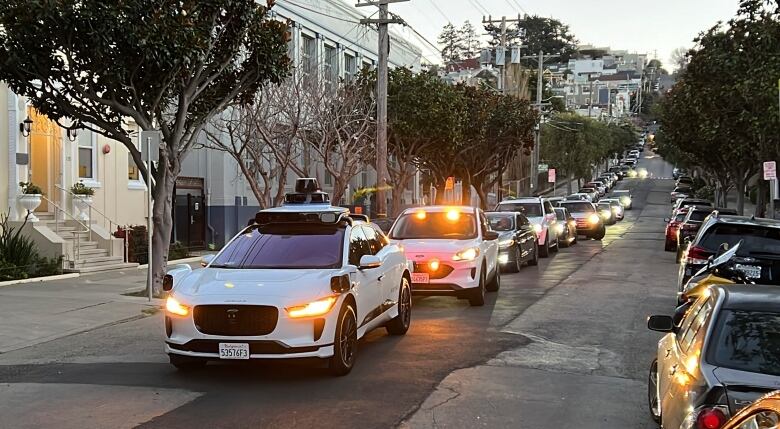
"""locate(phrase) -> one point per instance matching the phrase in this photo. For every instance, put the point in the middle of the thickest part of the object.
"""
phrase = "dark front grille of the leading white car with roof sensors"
(235, 320)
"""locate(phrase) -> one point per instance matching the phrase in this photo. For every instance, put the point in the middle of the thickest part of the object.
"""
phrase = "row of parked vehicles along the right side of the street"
(719, 360)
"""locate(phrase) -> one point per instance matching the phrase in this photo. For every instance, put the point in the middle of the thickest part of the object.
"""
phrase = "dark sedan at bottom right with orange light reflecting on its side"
(724, 354)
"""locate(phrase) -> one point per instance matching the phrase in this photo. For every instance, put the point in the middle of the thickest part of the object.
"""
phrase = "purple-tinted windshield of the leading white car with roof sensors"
(283, 246)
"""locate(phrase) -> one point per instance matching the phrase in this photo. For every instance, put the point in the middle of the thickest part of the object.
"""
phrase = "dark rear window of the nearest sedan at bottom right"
(747, 341)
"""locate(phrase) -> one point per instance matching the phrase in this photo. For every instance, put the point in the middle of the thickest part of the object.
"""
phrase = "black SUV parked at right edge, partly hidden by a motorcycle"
(759, 251)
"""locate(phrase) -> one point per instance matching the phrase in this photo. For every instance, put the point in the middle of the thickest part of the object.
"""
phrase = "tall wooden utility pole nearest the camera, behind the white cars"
(381, 95)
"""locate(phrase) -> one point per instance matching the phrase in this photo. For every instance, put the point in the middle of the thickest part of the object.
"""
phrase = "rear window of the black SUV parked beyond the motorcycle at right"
(756, 239)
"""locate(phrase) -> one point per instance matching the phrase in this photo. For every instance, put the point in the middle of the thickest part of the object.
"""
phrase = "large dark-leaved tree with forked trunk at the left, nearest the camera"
(167, 65)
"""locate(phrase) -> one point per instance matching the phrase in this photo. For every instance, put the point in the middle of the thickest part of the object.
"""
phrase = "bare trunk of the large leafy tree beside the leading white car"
(162, 220)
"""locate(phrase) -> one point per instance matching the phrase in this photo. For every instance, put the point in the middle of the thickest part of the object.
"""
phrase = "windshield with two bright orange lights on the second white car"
(418, 225)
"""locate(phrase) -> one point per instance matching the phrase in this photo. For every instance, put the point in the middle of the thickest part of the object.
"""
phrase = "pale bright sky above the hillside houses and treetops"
(655, 28)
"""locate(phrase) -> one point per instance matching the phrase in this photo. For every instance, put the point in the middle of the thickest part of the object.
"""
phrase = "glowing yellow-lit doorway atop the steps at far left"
(45, 149)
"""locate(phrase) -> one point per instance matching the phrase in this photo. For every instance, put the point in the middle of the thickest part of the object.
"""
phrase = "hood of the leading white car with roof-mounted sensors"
(292, 283)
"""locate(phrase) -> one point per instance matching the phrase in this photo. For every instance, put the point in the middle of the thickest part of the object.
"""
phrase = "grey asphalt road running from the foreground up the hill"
(568, 333)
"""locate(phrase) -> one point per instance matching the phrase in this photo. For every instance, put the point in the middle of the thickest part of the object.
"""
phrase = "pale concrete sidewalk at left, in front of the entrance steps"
(34, 313)
